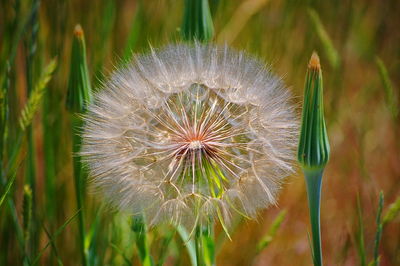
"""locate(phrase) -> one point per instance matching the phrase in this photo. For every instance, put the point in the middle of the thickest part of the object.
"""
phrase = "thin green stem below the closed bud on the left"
(79, 184)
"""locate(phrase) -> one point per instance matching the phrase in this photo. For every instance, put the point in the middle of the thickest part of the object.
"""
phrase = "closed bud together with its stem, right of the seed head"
(313, 151)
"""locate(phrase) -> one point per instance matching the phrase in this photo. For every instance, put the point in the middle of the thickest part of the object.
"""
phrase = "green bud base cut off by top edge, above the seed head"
(197, 21)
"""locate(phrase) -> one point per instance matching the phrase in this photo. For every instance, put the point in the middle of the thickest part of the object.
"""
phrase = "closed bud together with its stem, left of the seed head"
(79, 94)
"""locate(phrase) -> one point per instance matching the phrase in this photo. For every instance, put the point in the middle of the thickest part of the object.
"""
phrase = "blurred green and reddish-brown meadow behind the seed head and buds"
(359, 46)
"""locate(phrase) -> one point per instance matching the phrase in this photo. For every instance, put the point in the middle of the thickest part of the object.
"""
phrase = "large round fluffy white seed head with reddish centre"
(189, 133)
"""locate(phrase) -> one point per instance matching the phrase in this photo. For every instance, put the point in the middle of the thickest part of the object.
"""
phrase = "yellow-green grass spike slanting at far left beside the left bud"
(36, 96)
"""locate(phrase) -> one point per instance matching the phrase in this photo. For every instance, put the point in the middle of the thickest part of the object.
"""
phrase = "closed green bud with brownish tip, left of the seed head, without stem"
(79, 89)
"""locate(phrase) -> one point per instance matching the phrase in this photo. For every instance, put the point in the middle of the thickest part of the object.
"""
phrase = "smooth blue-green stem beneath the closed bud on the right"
(314, 182)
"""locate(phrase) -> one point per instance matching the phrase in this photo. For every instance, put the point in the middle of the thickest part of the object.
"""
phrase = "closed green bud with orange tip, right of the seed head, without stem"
(314, 147)
